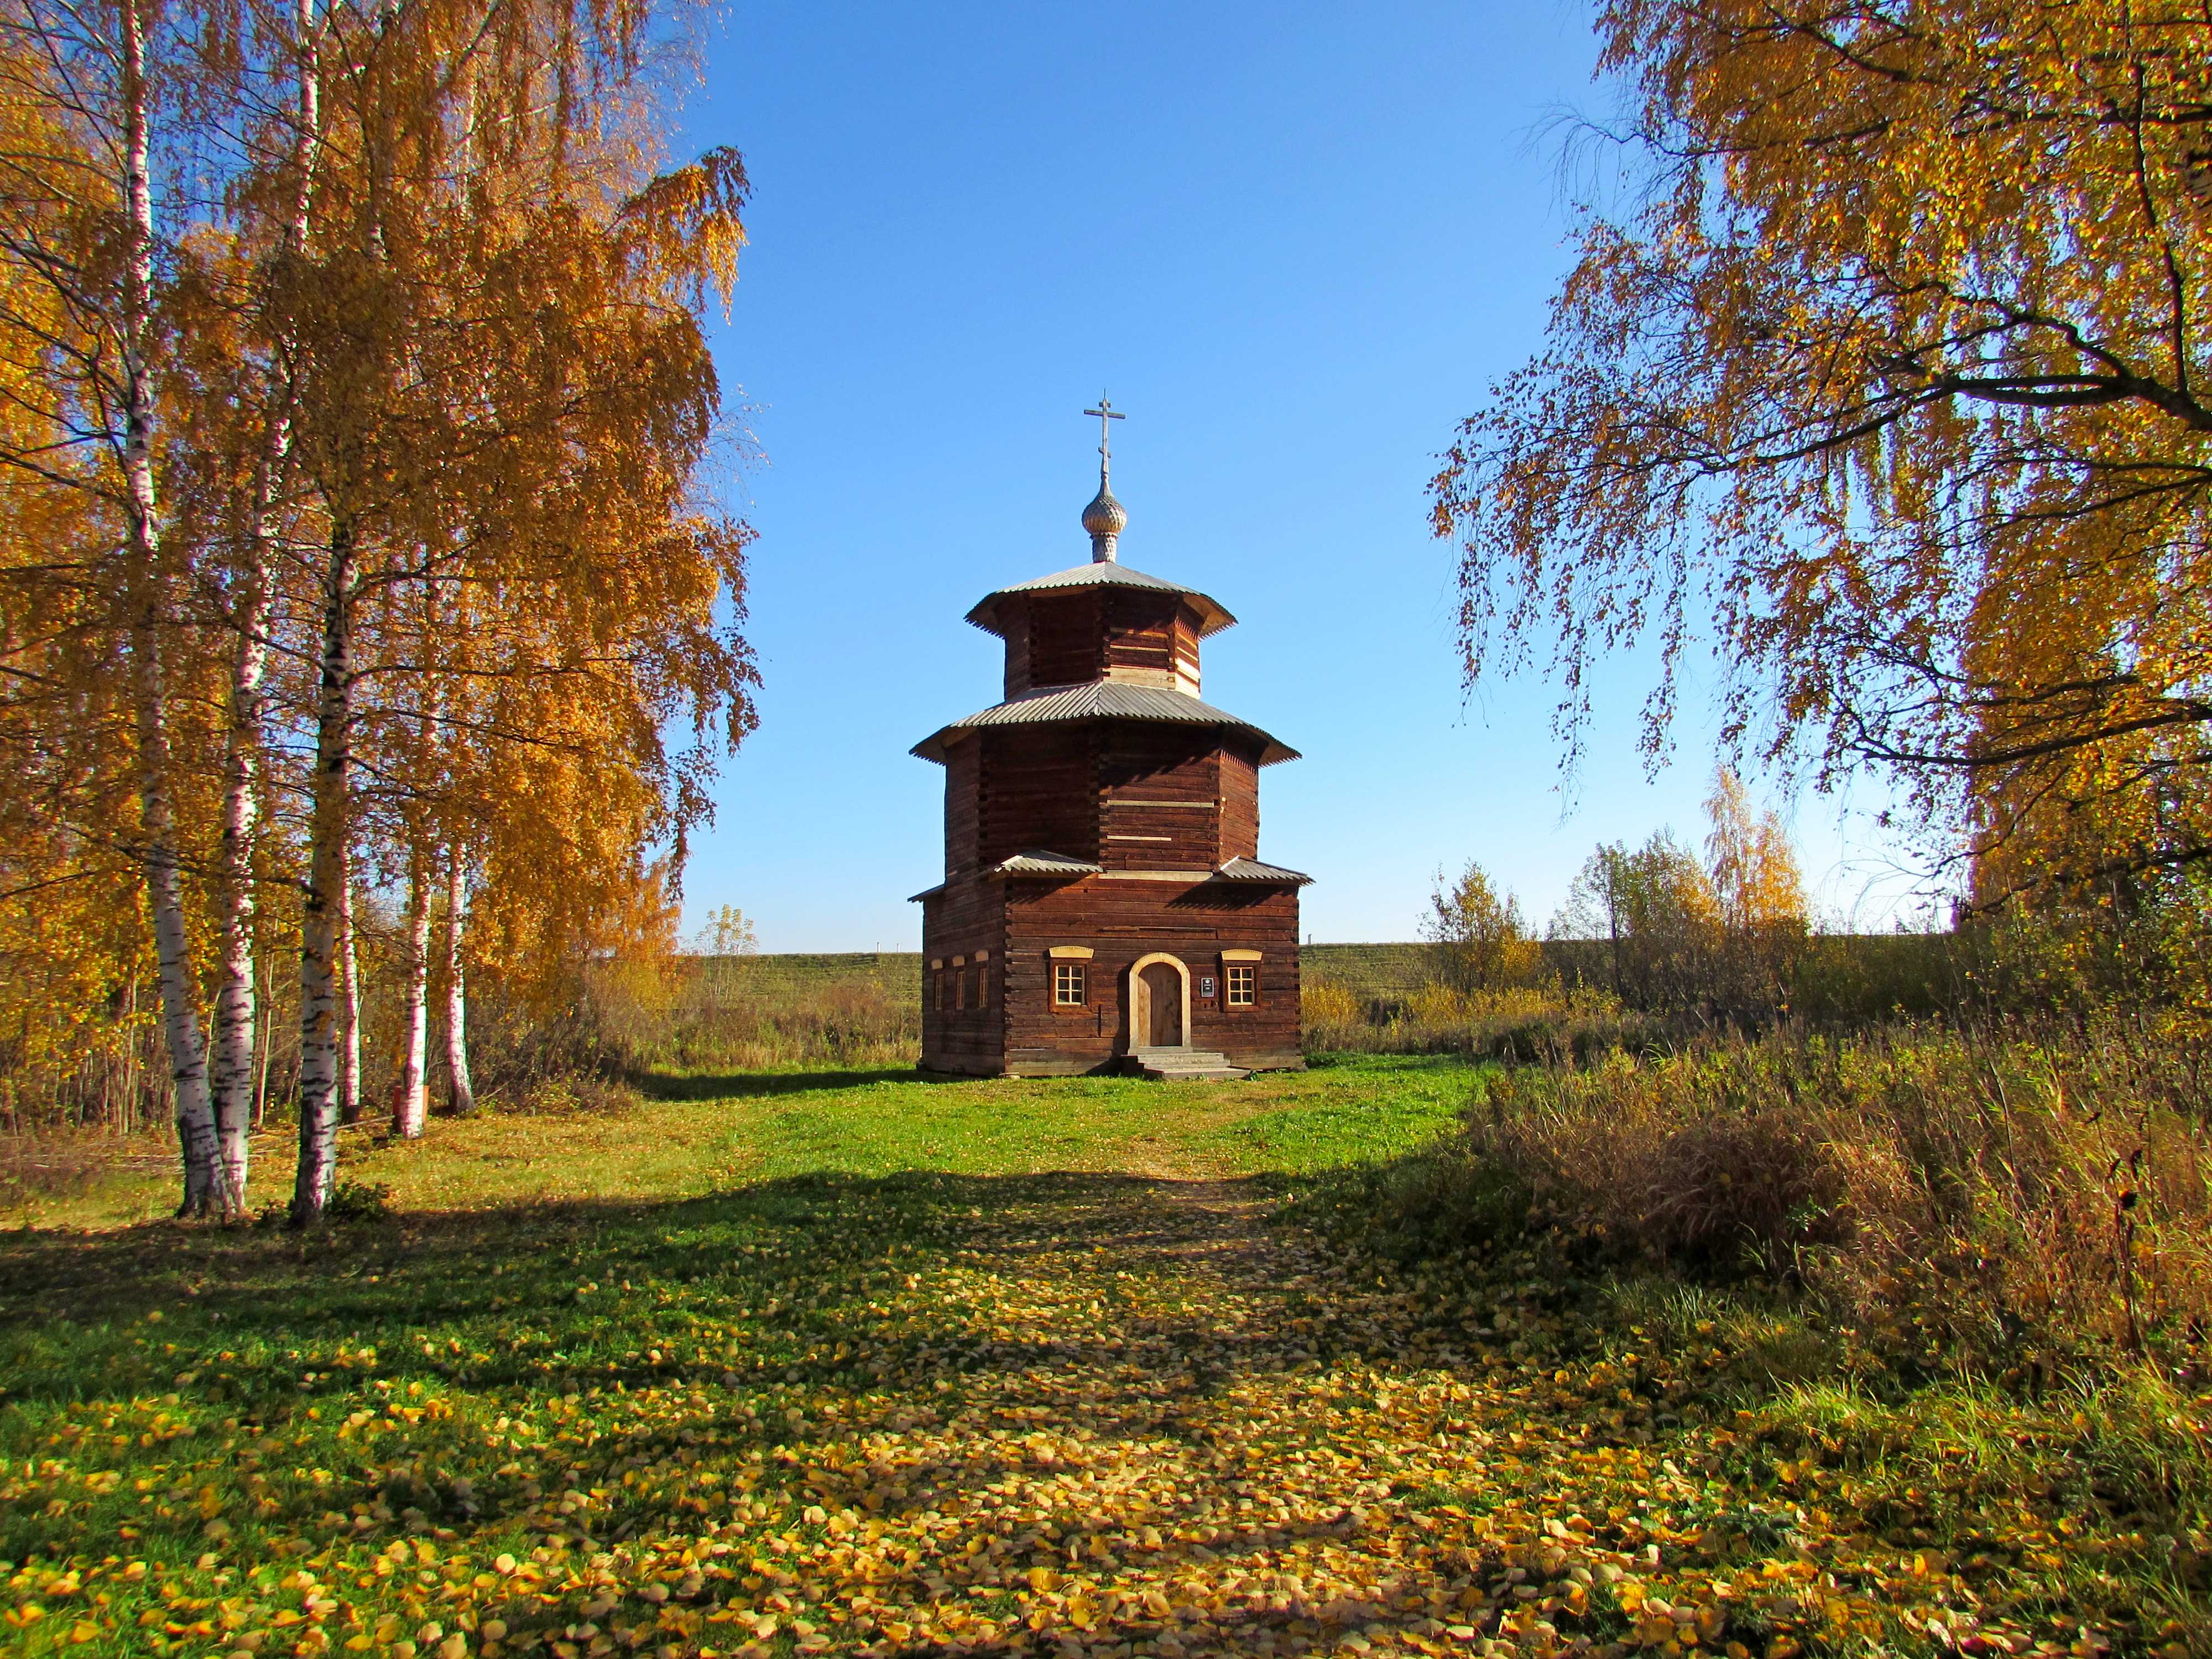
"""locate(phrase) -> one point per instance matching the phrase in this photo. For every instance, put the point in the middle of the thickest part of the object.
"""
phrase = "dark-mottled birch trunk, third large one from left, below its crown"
(326, 893)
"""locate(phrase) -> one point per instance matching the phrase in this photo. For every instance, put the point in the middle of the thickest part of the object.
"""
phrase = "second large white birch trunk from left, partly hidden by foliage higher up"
(249, 707)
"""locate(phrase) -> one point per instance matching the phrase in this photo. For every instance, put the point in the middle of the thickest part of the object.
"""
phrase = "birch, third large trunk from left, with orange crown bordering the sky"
(508, 395)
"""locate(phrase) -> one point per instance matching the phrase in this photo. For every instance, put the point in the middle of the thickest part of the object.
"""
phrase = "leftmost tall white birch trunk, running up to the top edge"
(149, 585)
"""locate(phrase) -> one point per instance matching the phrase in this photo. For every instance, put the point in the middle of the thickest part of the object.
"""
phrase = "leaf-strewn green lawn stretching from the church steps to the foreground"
(864, 1364)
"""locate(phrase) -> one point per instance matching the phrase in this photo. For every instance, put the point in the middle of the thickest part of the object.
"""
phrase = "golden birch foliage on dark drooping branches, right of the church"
(1886, 377)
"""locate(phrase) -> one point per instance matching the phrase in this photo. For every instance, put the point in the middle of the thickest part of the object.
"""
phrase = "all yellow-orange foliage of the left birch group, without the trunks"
(490, 355)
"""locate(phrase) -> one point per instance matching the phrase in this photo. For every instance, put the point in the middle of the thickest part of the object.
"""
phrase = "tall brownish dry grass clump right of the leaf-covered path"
(2005, 1204)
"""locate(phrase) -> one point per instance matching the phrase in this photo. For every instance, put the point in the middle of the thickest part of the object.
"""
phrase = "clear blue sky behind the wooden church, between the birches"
(1297, 244)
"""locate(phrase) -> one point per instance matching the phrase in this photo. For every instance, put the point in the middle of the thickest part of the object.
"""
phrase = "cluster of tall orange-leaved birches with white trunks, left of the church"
(317, 320)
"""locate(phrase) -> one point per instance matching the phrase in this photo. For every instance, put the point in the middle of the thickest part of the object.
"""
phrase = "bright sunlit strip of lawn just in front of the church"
(696, 1136)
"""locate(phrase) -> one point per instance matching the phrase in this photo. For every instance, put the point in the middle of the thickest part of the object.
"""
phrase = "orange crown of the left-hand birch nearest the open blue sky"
(547, 623)
